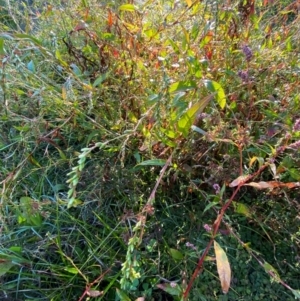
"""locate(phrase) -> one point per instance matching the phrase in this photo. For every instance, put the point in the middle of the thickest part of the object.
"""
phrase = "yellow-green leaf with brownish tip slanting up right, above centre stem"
(188, 118)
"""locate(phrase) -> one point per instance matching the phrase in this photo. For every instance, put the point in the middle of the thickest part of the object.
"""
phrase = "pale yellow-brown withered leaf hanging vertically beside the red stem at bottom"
(223, 267)
